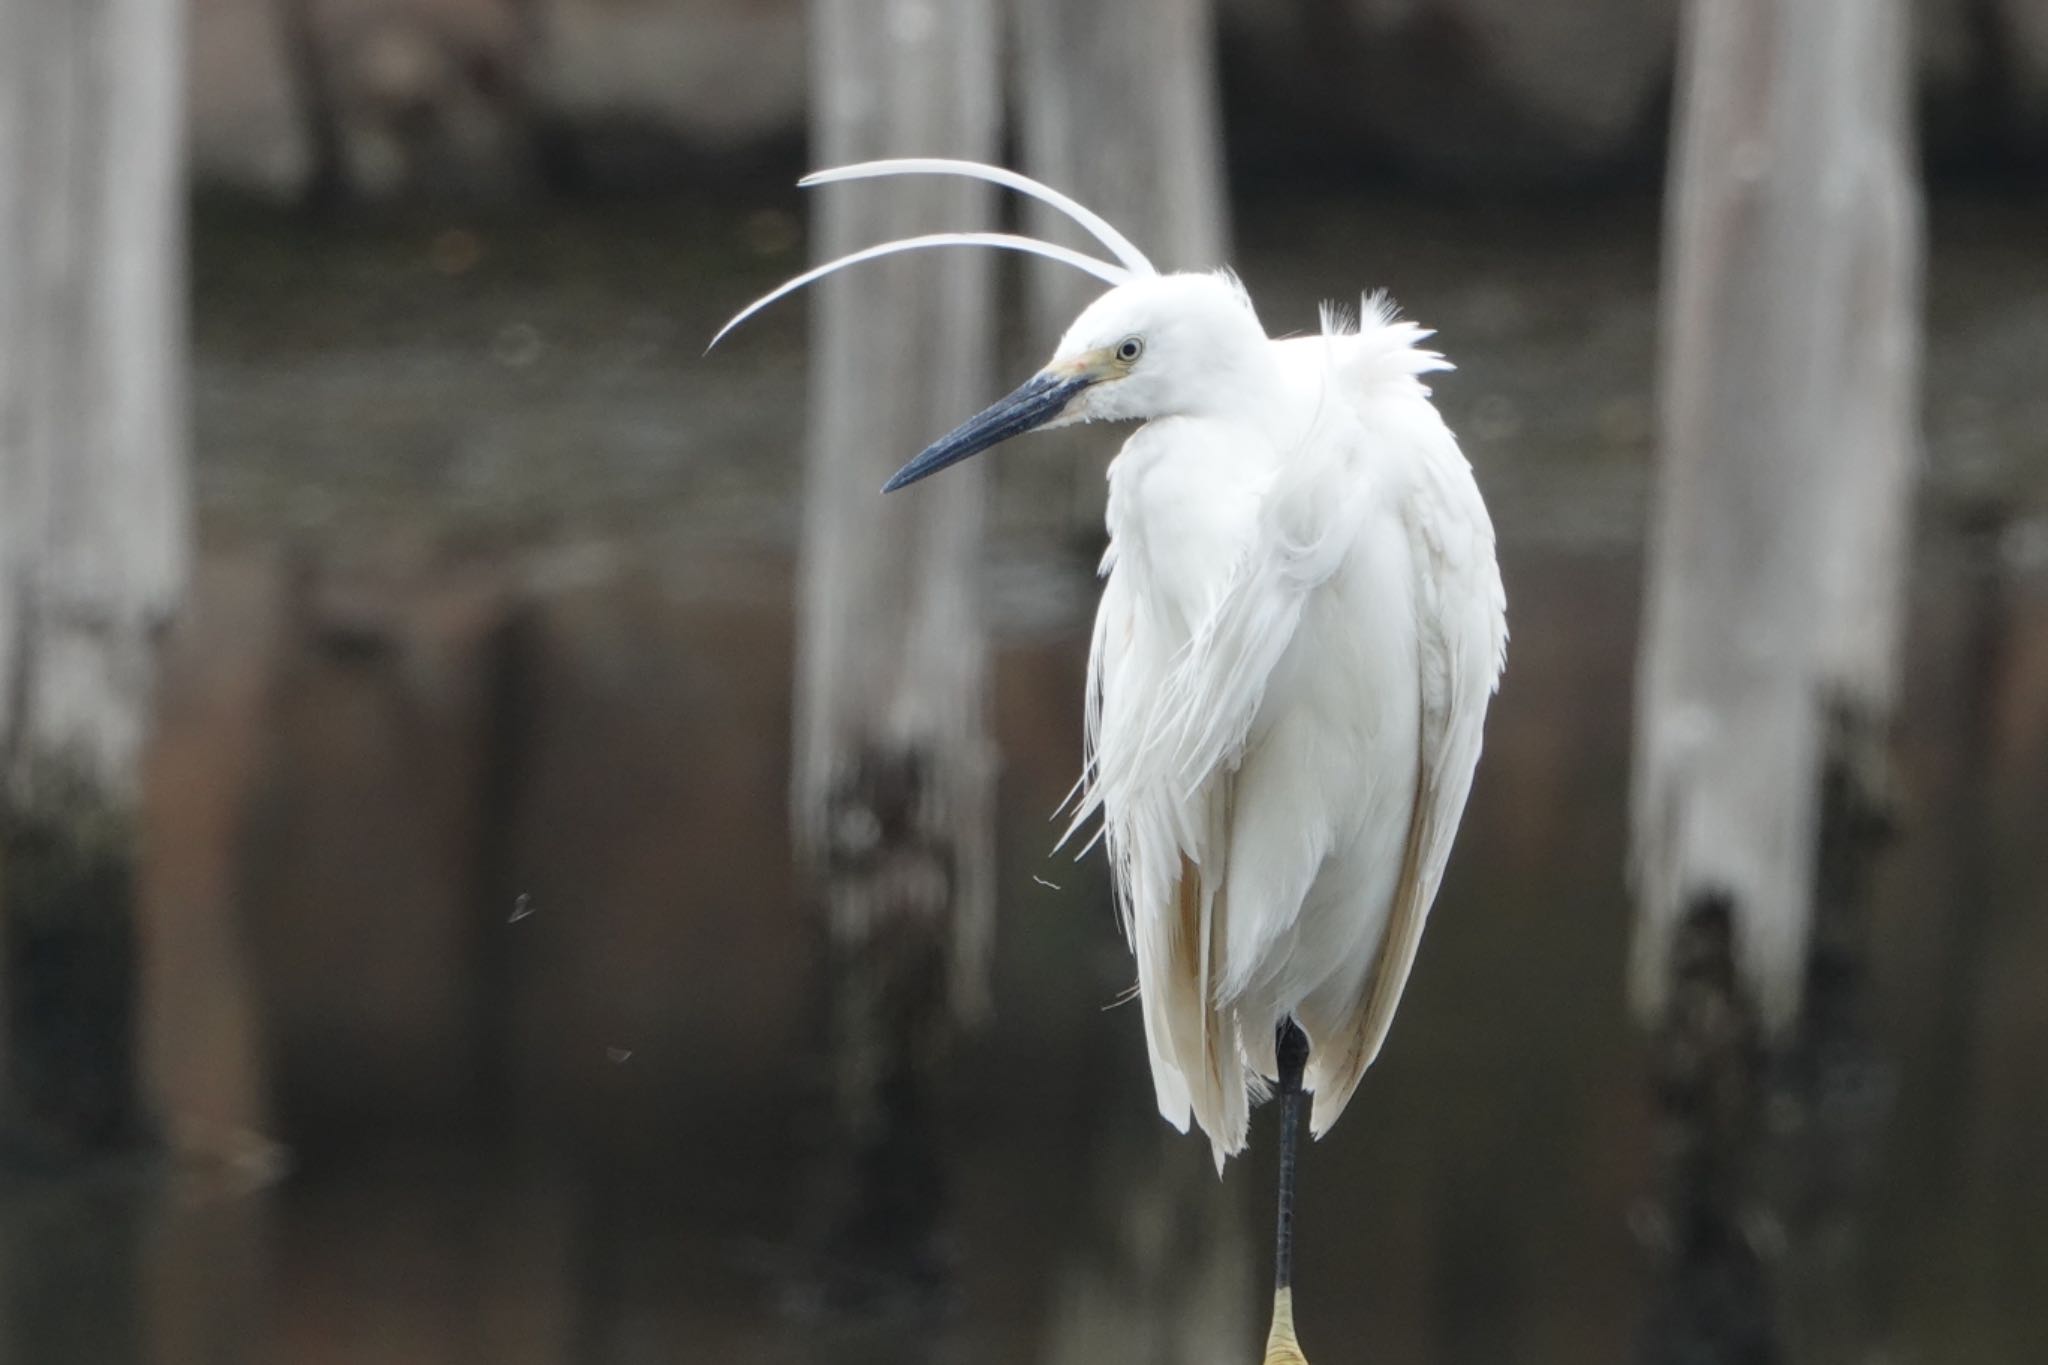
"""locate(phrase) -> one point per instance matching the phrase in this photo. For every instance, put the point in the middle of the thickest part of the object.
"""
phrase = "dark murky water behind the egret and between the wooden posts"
(538, 1028)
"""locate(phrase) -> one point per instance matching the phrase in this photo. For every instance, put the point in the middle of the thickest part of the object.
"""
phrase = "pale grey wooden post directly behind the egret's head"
(1119, 109)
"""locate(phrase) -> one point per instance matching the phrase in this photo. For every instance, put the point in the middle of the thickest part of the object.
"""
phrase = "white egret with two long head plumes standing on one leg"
(1299, 635)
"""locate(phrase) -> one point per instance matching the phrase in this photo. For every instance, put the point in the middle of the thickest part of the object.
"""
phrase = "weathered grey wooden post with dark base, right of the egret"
(1768, 672)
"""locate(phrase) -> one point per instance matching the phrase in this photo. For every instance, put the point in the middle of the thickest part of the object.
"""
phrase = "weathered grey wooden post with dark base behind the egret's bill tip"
(894, 783)
